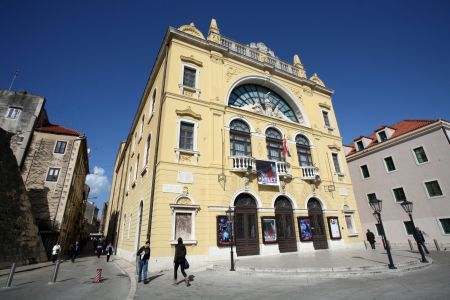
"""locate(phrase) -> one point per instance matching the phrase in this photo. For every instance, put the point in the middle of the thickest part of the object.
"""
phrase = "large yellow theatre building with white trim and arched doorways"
(225, 125)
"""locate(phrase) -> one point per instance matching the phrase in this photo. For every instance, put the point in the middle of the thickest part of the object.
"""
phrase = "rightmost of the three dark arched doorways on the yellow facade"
(317, 224)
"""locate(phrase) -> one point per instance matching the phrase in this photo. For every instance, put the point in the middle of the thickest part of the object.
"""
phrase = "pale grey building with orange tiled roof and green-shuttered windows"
(406, 160)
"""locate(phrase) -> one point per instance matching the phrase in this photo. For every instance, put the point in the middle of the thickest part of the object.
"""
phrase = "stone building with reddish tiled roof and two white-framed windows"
(54, 173)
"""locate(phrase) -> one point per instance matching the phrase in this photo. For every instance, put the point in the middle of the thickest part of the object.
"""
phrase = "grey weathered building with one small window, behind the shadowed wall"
(19, 114)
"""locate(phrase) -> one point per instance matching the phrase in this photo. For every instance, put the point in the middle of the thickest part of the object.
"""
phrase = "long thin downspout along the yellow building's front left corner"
(158, 131)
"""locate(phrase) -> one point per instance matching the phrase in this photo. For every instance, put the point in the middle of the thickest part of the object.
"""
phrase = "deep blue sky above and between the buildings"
(386, 60)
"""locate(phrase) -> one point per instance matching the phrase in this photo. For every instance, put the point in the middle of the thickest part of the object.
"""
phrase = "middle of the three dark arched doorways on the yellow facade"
(285, 225)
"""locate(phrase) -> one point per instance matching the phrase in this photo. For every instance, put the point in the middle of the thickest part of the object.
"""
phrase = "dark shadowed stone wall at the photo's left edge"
(19, 235)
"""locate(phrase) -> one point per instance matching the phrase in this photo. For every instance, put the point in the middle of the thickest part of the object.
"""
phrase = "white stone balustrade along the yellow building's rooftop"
(256, 55)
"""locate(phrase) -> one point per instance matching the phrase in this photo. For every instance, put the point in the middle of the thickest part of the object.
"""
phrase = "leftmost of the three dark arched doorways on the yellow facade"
(246, 225)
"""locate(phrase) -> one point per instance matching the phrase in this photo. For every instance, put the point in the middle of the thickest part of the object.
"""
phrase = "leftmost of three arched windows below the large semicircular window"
(240, 141)
